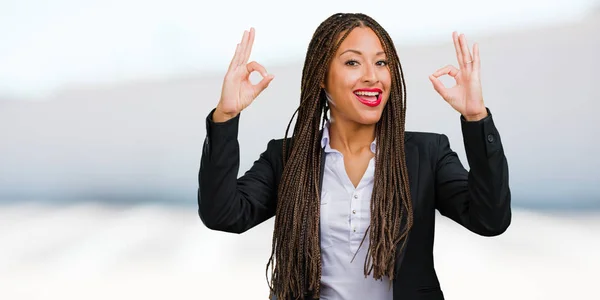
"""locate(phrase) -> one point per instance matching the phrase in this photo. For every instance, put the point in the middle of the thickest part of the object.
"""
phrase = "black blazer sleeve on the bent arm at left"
(225, 202)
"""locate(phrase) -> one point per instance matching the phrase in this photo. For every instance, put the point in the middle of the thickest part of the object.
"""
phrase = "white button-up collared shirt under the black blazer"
(345, 216)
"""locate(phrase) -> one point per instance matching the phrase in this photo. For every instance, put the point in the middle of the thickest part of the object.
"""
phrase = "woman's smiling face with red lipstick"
(358, 80)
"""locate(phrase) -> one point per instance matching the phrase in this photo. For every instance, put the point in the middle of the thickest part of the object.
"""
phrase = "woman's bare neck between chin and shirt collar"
(351, 137)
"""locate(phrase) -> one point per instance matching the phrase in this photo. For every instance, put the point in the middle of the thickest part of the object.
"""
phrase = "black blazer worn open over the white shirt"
(478, 199)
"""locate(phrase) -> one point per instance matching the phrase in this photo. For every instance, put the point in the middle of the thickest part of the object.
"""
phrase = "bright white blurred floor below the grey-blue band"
(93, 251)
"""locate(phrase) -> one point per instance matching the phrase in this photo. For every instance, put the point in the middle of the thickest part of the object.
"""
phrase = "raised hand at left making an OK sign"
(238, 92)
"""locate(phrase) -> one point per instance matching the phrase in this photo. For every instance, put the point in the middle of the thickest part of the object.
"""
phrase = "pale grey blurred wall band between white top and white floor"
(141, 141)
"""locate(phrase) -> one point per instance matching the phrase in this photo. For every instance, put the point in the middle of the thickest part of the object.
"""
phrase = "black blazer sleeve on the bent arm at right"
(478, 199)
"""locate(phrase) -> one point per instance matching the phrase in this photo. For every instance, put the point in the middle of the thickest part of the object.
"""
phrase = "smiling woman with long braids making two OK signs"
(354, 196)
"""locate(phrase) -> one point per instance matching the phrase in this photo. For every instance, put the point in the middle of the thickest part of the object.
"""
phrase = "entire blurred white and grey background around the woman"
(102, 111)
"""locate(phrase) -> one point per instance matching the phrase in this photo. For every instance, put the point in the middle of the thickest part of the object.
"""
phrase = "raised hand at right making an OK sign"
(466, 96)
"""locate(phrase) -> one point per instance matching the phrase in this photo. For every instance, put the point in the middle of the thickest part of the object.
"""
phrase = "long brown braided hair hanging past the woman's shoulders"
(296, 253)
